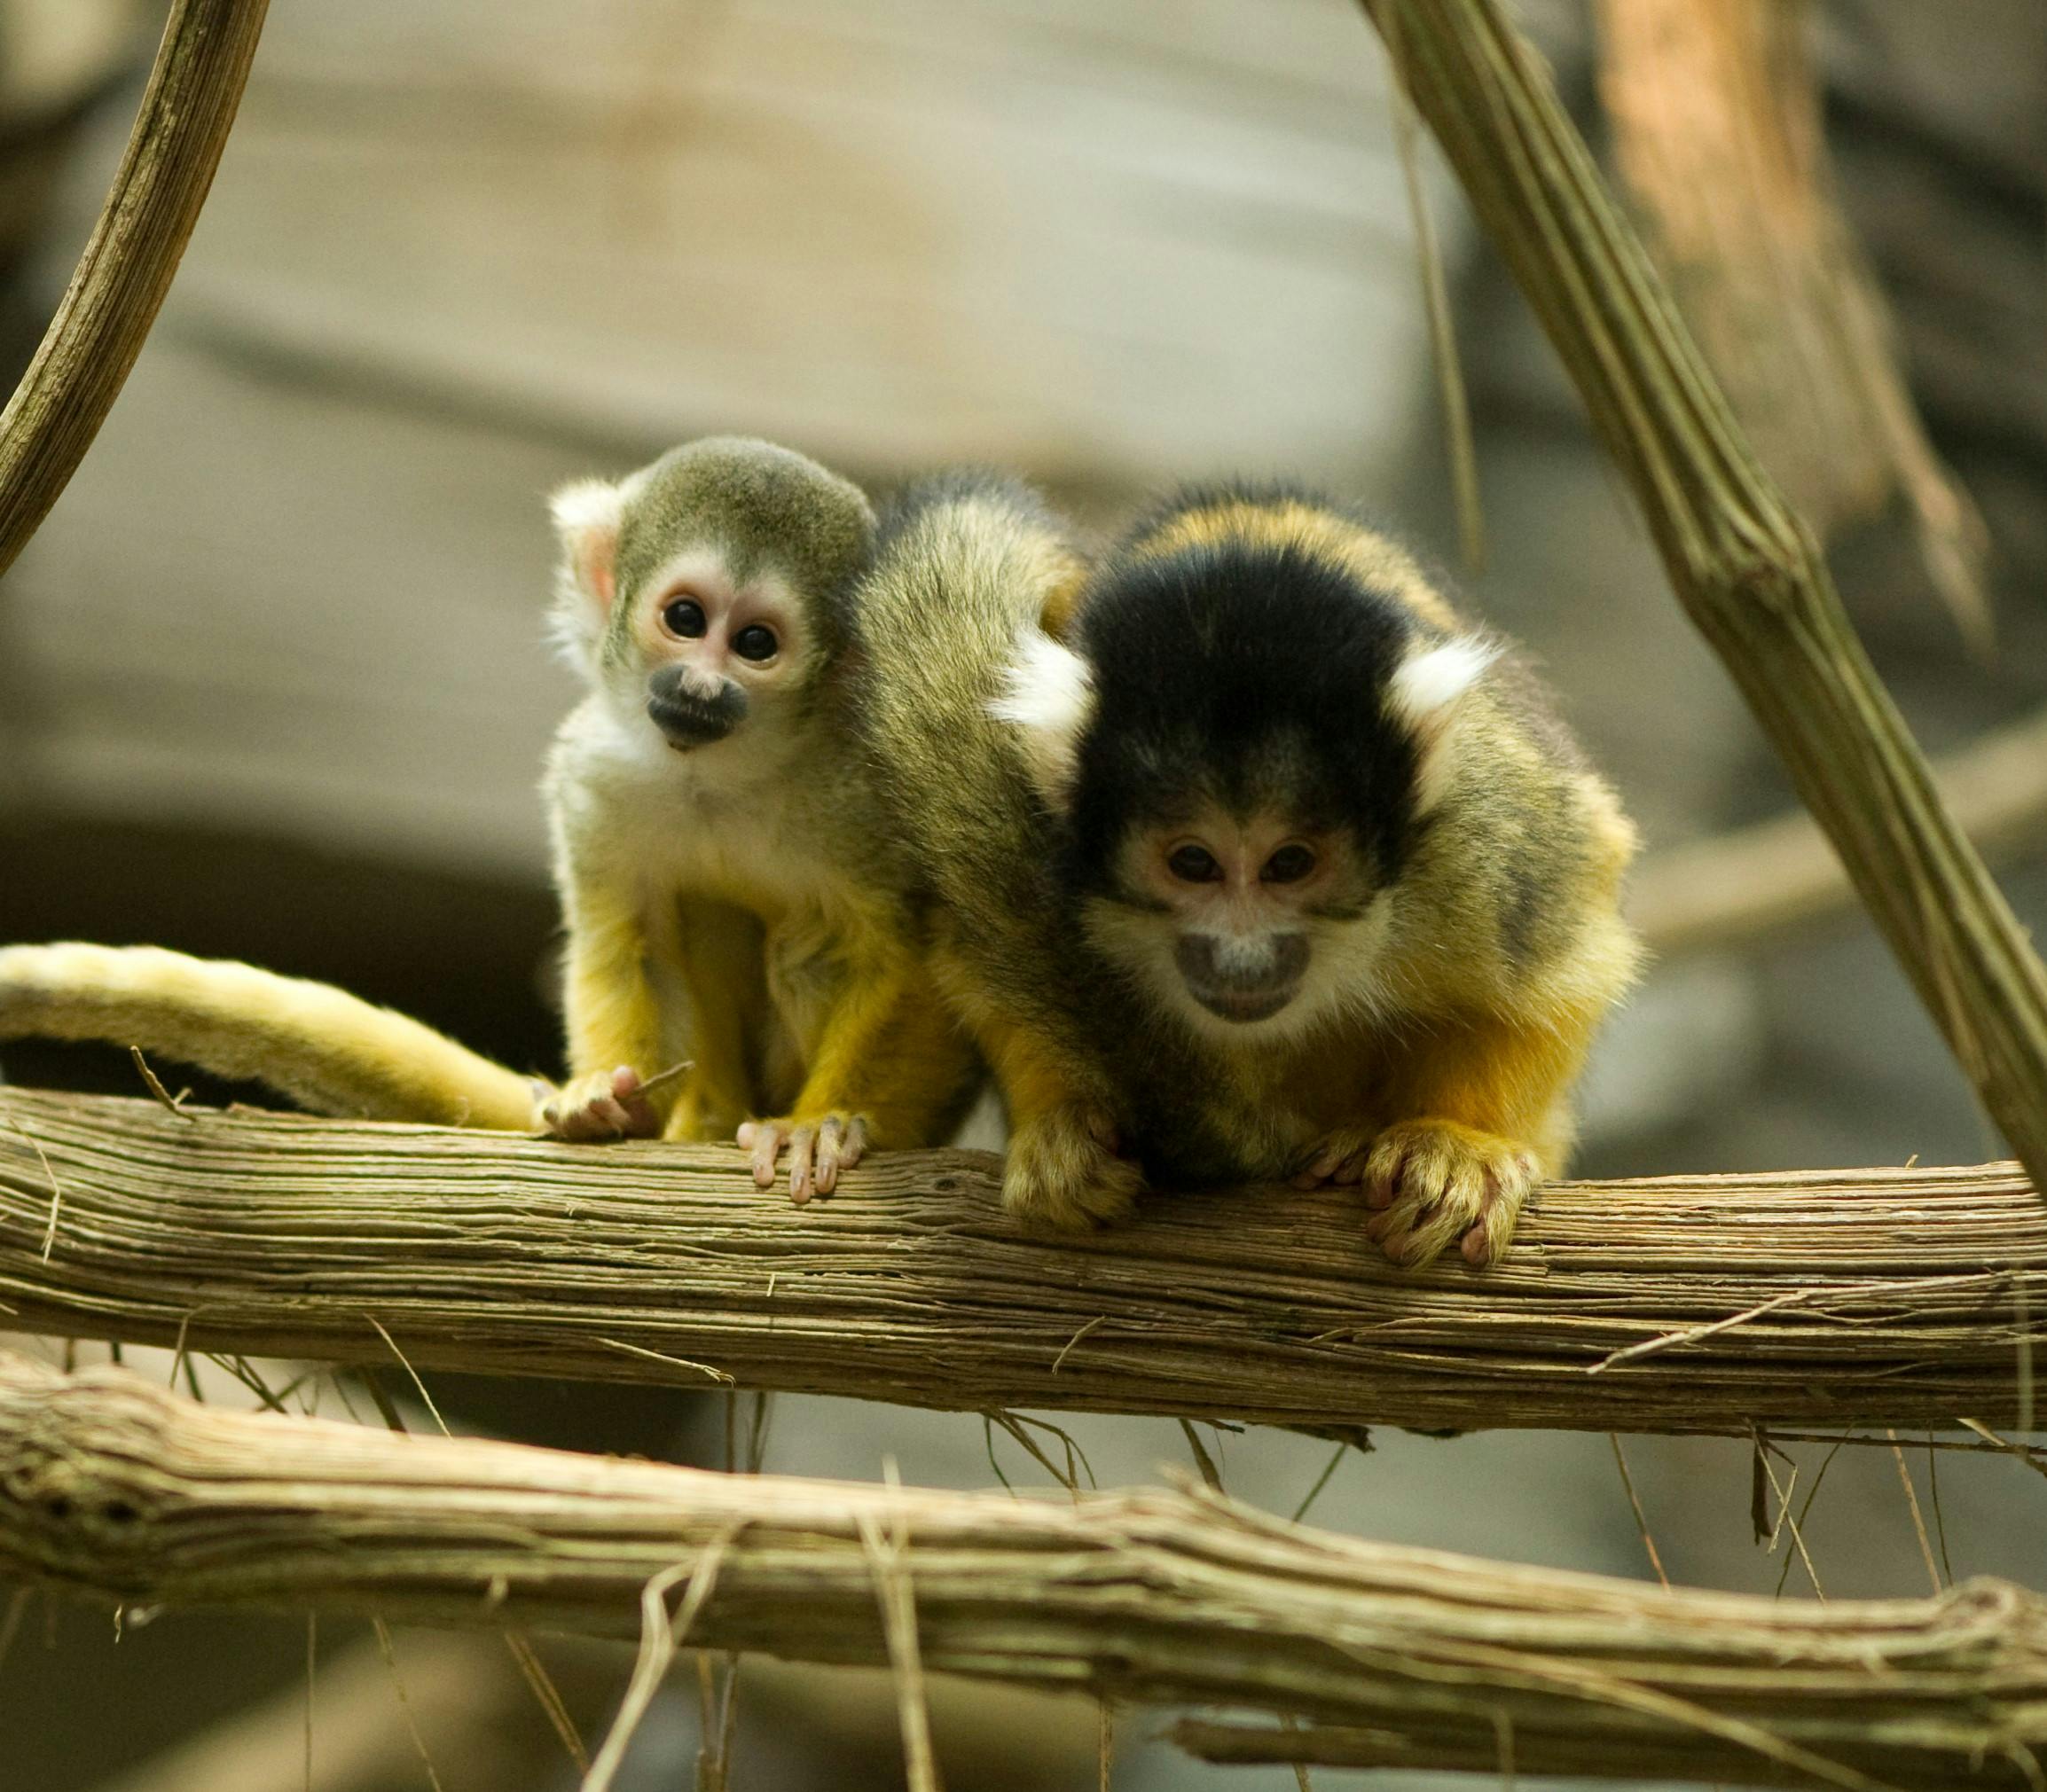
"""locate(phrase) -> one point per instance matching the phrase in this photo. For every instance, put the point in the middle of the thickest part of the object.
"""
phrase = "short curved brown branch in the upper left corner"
(126, 271)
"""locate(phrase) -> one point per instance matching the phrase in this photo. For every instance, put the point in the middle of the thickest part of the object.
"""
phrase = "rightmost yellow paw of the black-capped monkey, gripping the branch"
(1438, 1183)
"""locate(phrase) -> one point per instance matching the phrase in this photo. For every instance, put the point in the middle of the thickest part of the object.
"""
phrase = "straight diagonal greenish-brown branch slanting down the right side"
(1739, 557)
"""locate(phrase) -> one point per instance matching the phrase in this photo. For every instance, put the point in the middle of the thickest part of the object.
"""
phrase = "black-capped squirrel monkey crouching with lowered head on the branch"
(1252, 860)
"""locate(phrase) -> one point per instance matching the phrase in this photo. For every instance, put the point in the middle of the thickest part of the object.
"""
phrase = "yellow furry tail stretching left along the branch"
(324, 1048)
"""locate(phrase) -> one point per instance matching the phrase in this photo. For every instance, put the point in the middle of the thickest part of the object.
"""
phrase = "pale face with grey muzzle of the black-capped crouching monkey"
(1235, 922)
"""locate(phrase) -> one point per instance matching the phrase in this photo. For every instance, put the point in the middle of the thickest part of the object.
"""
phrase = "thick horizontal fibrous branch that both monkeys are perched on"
(1688, 1304)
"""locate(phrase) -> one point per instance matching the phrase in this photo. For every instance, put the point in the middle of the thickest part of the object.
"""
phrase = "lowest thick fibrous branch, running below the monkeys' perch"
(116, 1488)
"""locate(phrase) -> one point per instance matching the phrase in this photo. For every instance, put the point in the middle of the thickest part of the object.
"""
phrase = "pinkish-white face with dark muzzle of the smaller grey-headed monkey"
(707, 652)
